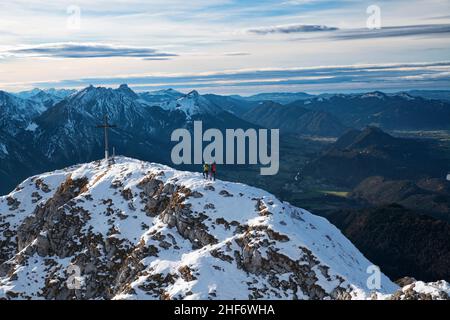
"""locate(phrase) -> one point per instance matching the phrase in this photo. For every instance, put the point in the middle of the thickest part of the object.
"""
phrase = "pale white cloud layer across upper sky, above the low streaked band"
(208, 36)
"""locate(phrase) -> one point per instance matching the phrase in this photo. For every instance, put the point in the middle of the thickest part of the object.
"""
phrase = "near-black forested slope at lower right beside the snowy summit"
(402, 242)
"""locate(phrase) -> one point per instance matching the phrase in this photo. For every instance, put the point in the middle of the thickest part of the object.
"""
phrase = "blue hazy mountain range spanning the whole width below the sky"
(46, 129)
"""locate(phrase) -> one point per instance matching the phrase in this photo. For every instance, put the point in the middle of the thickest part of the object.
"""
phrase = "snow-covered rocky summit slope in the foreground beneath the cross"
(145, 231)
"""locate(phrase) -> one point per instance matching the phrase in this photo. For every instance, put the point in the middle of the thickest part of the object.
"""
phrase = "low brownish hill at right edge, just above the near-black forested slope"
(431, 196)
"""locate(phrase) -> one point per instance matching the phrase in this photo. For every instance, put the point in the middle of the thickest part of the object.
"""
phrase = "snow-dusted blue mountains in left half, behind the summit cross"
(66, 132)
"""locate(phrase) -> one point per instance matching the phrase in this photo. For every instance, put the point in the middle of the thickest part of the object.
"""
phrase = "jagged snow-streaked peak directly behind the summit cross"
(67, 133)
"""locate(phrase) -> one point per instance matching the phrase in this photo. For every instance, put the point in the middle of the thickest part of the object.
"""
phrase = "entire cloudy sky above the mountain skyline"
(226, 46)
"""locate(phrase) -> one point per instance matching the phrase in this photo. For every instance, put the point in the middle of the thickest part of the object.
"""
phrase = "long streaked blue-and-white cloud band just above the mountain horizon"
(319, 78)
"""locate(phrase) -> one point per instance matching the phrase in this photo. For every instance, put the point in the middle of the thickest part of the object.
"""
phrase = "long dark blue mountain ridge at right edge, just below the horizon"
(391, 112)
